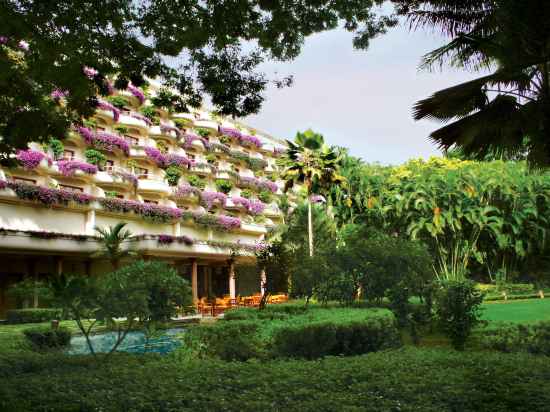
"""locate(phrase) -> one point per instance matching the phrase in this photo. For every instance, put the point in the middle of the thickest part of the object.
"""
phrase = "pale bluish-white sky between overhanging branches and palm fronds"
(359, 99)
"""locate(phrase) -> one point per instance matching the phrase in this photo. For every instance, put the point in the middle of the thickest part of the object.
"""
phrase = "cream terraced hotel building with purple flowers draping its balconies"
(196, 190)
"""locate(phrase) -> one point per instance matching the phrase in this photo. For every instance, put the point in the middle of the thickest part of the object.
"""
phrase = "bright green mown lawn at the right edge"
(518, 311)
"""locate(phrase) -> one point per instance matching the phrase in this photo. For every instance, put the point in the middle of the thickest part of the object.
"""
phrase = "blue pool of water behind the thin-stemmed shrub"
(134, 342)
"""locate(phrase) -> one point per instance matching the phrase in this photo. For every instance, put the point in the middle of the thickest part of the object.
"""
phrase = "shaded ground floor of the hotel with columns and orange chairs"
(219, 280)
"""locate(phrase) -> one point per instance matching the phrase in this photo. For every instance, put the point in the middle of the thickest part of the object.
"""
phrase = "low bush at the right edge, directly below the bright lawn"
(533, 339)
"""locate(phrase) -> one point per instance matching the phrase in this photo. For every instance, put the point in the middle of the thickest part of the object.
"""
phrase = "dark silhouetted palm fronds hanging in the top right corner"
(507, 112)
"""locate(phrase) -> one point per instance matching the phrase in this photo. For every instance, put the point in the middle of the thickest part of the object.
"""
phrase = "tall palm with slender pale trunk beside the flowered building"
(310, 163)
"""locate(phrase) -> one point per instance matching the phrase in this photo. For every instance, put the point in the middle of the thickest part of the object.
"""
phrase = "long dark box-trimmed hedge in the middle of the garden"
(316, 340)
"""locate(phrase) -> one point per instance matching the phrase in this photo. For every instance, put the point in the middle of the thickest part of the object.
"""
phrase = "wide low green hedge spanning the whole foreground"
(426, 380)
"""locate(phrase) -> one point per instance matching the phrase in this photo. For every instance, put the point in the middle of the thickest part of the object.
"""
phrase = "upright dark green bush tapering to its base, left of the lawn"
(457, 310)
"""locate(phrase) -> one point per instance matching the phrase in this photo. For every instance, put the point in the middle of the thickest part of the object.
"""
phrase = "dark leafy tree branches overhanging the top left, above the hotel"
(46, 46)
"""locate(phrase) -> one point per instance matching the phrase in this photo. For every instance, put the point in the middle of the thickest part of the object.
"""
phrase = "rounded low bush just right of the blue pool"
(228, 341)
